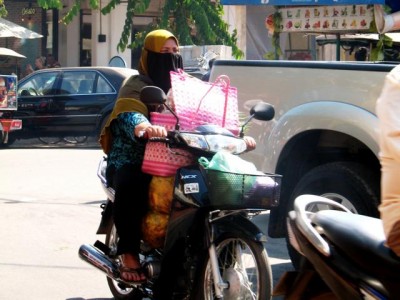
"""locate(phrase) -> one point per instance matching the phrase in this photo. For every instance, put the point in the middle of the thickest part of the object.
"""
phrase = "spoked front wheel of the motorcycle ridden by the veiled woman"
(243, 264)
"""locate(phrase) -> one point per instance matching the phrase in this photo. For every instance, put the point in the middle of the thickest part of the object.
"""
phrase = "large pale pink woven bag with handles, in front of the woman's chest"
(205, 102)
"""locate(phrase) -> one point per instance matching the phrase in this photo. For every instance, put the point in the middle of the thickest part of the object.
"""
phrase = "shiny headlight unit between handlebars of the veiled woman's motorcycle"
(215, 143)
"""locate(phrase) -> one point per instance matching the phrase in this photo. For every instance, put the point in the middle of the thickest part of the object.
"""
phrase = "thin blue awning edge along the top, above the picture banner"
(300, 2)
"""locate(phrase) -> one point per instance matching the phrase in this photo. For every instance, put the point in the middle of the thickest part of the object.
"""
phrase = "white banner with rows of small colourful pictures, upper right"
(326, 18)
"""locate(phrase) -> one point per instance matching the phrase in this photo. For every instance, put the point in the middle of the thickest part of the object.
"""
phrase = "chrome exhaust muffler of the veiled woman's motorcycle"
(96, 258)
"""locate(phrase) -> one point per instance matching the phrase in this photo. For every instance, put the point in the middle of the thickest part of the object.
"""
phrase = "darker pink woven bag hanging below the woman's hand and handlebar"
(159, 159)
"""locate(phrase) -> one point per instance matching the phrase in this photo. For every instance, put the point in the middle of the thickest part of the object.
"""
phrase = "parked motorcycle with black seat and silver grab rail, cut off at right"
(345, 256)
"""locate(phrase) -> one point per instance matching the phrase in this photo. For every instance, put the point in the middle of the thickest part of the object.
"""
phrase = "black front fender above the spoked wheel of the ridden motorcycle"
(240, 226)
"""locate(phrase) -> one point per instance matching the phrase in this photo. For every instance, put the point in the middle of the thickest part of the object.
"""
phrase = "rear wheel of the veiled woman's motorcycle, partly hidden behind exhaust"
(119, 291)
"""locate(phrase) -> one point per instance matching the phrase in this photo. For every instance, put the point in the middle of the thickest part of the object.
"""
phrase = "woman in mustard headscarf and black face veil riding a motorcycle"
(120, 140)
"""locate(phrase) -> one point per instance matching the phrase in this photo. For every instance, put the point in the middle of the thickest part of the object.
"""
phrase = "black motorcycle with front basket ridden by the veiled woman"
(212, 249)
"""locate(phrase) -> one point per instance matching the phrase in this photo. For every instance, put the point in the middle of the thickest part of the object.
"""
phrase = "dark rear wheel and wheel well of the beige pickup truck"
(348, 183)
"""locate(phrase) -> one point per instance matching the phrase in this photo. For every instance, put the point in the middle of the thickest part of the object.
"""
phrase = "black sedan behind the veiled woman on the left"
(71, 101)
